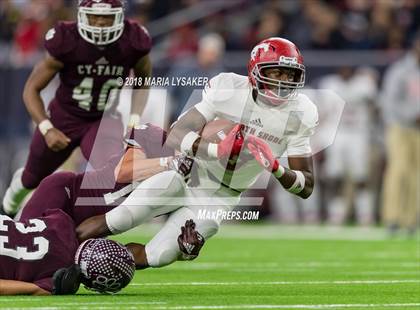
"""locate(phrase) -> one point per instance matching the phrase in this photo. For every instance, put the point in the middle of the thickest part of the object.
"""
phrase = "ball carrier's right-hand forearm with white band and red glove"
(298, 179)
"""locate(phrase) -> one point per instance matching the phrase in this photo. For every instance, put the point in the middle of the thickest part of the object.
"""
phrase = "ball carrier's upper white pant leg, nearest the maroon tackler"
(157, 195)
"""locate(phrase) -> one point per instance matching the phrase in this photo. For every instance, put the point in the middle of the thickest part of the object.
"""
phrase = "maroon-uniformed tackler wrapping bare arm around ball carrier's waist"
(84, 196)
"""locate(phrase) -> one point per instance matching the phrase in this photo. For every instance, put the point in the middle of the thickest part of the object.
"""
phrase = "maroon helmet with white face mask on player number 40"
(100, 35)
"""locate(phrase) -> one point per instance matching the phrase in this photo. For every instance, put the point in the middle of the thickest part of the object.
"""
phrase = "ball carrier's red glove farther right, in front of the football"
(262, 153)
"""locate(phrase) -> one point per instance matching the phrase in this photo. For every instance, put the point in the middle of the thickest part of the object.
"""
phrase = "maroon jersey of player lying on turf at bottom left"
(32, 250)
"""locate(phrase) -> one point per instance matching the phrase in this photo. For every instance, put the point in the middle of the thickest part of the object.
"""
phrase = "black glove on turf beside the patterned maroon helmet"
(66, 281)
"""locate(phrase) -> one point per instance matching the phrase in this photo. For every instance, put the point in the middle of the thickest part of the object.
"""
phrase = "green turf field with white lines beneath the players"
(269, 267)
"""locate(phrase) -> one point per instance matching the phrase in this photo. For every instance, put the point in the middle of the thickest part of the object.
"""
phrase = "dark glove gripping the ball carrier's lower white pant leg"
(190, 241)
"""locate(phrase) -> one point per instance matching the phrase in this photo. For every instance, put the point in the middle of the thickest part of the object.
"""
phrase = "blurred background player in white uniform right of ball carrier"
(347, 161)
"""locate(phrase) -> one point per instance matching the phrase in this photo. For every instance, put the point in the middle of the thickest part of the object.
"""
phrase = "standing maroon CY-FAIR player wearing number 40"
(92, 56)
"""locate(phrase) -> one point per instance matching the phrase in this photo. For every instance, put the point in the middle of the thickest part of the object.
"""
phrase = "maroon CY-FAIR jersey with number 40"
(90, 72)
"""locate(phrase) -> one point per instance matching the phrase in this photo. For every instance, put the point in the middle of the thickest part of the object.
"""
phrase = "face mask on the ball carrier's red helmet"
(276, 89)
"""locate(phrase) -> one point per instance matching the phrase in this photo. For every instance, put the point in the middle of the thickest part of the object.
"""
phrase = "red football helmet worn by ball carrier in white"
(276, 53)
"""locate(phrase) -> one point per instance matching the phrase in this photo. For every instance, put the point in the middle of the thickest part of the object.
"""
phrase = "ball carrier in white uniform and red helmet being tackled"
(275, 121)
